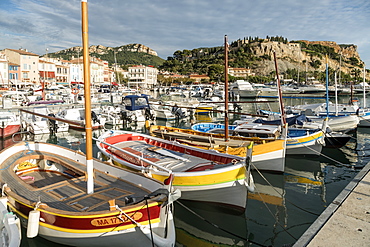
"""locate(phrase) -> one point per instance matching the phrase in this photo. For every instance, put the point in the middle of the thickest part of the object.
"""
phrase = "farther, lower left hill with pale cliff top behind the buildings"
(132, 54)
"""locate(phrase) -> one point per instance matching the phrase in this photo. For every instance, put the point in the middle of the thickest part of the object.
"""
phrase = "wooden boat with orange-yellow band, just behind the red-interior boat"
(268, 154)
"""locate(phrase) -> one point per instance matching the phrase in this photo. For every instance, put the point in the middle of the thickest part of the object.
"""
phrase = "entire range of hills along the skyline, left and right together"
(296, 59)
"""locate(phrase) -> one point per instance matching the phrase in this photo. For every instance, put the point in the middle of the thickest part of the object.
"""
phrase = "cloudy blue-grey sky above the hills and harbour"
(42, 26)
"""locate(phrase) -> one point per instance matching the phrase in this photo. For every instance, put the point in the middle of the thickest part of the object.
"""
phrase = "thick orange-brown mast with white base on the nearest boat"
(88, 125)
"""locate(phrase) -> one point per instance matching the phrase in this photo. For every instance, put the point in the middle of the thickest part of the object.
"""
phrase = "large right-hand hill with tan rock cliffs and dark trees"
(295, 58)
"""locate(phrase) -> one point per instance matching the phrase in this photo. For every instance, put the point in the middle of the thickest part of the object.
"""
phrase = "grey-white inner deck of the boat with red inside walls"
(175, 161)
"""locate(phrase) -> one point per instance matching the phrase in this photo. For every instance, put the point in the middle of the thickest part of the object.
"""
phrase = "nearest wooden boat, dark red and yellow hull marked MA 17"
(46, 187)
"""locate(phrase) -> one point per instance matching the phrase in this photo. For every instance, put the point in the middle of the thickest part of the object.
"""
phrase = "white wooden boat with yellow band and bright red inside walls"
(201, 175)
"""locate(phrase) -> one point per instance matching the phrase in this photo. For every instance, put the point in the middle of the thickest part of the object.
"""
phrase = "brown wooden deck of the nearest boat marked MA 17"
(66, 191)
